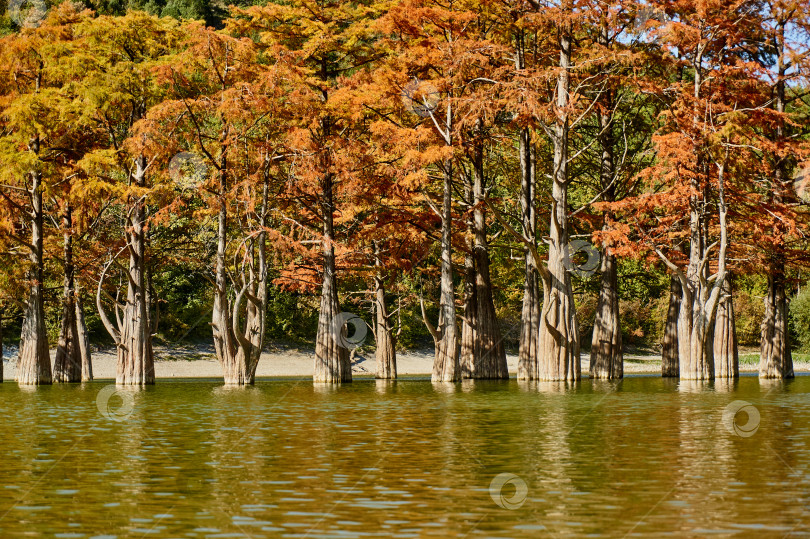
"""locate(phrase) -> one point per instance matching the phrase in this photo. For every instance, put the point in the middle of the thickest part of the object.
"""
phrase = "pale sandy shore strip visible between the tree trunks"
(199, 361)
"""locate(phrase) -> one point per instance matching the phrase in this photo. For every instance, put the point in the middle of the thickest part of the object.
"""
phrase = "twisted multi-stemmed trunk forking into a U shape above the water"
(239, 349)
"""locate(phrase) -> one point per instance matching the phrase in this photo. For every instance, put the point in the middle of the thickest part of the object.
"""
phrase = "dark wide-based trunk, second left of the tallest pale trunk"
(488, 357)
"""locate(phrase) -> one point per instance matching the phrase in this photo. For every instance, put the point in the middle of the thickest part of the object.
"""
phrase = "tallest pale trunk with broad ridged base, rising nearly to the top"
(559, 335)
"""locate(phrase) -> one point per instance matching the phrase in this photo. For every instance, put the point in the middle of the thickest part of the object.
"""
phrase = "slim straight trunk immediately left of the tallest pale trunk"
(528, 359)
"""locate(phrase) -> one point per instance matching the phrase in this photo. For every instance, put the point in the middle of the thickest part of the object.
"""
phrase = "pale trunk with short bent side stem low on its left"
(446, 361)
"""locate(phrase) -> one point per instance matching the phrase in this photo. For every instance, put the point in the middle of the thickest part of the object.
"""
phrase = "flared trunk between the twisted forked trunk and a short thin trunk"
(332, 364)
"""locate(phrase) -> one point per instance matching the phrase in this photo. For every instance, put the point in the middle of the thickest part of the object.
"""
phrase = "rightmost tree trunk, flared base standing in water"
(776, 360)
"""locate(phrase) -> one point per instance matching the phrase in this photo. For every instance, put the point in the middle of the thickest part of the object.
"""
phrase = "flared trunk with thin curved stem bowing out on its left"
(133, 331)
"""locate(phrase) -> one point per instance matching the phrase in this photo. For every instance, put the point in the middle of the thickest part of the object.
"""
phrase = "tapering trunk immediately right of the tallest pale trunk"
(607, 359)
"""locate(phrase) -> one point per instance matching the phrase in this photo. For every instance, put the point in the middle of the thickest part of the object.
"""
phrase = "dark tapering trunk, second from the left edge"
(67, 366)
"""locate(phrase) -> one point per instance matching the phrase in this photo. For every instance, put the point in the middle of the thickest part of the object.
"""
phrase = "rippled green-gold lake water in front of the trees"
(642, 457)
